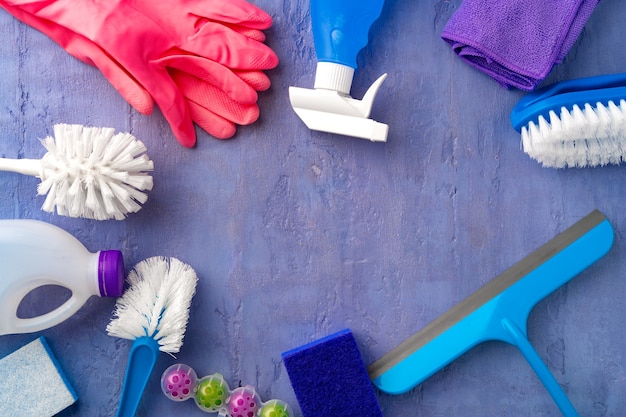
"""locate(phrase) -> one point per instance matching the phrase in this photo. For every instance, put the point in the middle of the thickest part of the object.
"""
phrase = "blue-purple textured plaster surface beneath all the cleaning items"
(297, 234)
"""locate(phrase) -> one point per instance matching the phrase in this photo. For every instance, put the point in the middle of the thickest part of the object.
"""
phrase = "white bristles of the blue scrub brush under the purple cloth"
(594, 135)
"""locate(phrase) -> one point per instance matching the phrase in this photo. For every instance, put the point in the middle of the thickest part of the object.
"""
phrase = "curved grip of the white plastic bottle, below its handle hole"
(44, 321)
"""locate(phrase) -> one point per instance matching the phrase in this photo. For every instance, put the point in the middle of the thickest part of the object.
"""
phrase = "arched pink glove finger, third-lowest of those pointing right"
(215, 74)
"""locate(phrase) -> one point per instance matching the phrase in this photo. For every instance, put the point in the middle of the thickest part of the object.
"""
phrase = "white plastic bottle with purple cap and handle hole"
(34, 253)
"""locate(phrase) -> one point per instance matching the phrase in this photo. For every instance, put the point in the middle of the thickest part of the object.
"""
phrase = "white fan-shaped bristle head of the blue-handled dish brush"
(156, 303)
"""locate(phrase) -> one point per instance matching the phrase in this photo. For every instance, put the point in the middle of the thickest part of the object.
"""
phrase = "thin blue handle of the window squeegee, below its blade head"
(558, 395)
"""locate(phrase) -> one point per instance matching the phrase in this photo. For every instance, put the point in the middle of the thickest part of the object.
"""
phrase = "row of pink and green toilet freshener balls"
(212, 394)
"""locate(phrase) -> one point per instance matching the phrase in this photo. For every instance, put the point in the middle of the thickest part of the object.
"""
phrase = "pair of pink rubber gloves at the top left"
(200, 61)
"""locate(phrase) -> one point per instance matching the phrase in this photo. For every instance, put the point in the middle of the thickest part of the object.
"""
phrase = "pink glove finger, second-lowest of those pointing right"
(211, 98)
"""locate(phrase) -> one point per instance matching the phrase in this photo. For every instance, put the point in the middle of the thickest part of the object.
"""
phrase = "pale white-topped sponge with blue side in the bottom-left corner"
(32, 384)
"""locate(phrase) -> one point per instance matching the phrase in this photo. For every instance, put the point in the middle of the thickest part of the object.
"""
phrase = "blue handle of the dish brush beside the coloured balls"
(141, 361)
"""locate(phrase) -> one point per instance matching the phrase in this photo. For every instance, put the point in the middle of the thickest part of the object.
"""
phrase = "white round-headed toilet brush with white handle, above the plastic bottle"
(89, 172)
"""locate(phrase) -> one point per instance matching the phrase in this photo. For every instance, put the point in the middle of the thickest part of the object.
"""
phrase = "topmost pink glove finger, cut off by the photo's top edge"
(238, 12)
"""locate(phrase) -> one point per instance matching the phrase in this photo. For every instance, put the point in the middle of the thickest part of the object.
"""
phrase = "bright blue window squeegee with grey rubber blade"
(499, 311)
